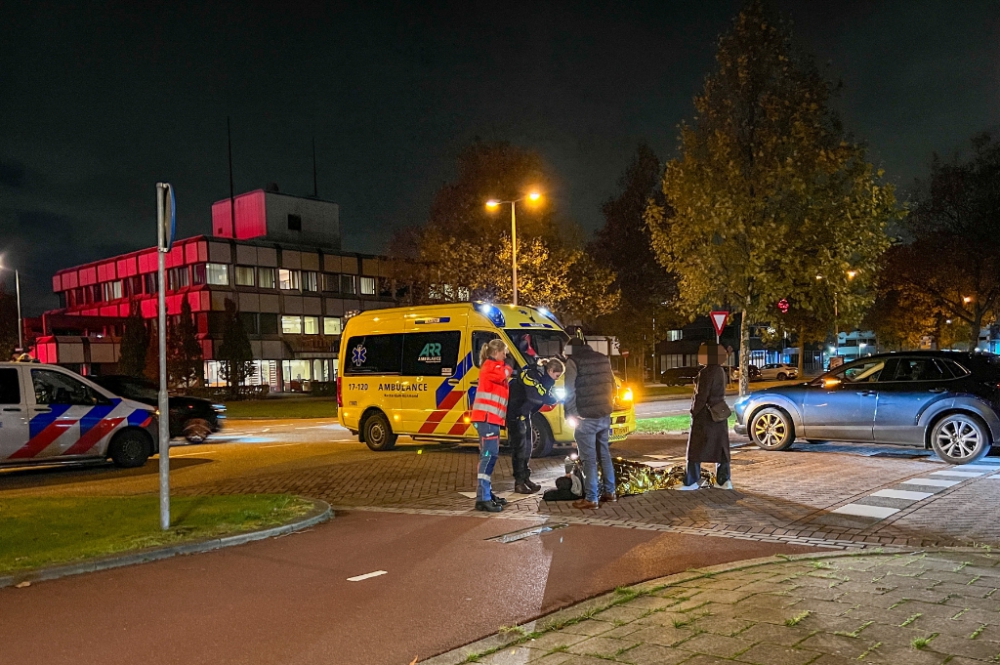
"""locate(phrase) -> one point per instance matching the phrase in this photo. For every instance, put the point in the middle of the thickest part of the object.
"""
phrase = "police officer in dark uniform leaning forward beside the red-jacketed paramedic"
(529, 392)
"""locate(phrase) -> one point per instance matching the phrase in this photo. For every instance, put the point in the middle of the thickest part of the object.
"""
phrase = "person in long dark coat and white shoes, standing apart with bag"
(708, 440)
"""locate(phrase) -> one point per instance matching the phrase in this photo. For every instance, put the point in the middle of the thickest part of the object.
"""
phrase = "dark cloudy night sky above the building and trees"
(97, 106)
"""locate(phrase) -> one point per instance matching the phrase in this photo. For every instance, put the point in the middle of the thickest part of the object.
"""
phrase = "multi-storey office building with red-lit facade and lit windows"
(282, 266)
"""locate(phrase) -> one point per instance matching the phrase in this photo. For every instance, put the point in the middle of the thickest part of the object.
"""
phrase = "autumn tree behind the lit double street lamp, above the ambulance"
(464, 250)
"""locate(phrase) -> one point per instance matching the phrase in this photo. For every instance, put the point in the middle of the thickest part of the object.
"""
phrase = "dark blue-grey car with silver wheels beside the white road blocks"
(943, 400)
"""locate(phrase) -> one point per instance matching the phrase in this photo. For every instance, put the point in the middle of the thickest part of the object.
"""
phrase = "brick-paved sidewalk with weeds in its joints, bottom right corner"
(915, 608)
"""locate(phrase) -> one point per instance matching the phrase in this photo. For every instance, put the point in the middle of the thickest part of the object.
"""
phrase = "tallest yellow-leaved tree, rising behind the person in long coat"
(768, 191)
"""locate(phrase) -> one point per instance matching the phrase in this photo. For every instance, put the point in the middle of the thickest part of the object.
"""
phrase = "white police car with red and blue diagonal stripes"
(49, 414)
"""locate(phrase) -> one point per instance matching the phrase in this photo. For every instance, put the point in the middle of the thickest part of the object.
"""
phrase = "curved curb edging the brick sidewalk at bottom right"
(496, 640)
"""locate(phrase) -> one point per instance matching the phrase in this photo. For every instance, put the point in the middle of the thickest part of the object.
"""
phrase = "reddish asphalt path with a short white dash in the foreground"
(289, 600)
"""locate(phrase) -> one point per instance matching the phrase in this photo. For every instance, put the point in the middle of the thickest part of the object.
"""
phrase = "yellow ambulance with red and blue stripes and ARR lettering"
(414, 370)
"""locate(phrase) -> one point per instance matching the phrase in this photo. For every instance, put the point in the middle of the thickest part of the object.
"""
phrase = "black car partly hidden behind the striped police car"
(194, 418)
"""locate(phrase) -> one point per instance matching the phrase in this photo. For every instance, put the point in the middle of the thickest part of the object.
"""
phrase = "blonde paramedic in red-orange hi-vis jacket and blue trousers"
(489, 413)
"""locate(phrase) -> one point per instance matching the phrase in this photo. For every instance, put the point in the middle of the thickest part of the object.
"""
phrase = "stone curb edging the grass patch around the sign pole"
(320, 513)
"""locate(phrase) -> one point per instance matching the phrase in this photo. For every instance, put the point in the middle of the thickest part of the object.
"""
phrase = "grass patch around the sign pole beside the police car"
(43, 531)
